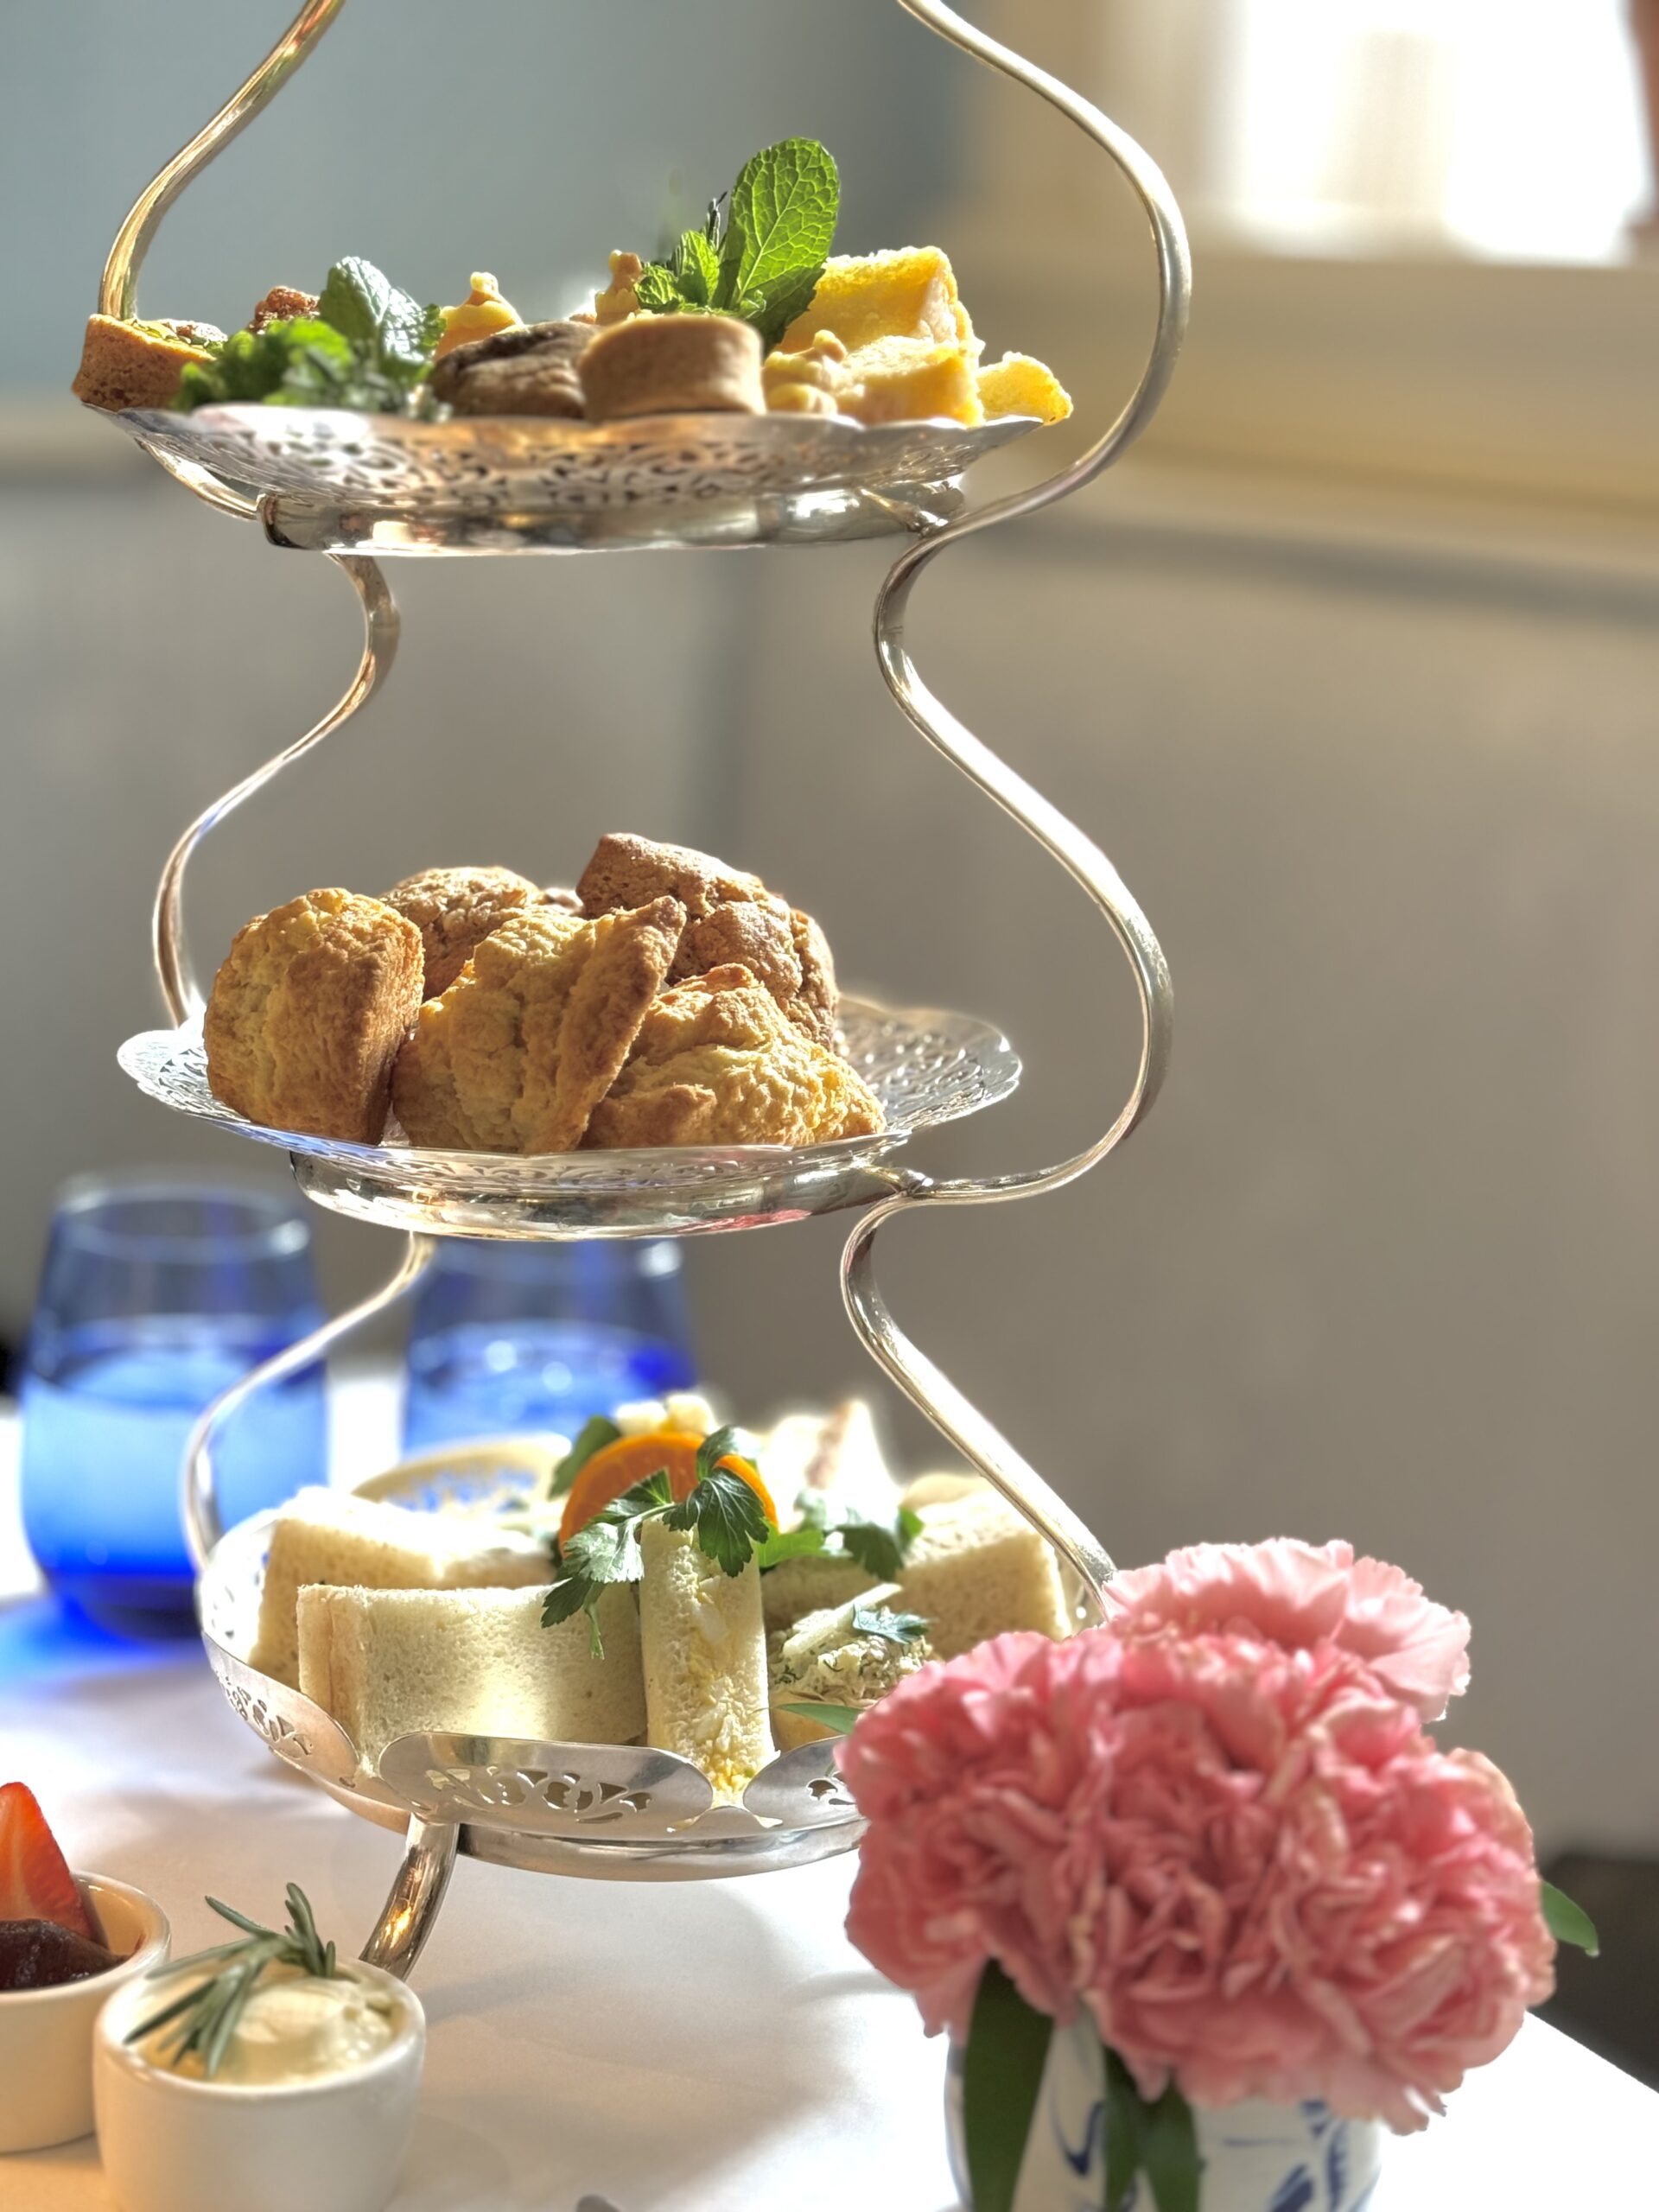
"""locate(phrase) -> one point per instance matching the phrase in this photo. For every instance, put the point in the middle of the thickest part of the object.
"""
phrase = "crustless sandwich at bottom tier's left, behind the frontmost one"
(337, 1536)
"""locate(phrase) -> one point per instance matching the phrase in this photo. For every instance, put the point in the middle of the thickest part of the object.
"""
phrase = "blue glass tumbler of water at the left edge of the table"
(156, 1295)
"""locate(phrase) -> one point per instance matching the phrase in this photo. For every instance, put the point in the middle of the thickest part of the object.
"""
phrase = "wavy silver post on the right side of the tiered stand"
(1078, 855)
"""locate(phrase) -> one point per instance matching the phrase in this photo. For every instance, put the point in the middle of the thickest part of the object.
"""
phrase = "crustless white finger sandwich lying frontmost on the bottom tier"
(479, 1662)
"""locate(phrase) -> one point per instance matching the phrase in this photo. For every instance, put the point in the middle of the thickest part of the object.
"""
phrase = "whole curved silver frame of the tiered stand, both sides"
(430, 1855)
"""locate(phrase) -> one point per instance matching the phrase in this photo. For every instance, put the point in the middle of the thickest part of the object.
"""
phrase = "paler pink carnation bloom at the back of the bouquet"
(1302, 1596)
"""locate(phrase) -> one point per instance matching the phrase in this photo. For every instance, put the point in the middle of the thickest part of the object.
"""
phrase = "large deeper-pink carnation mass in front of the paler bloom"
(1240, 1855)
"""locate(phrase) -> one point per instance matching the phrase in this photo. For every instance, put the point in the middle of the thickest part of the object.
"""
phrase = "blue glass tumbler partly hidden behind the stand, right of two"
(517, 1339)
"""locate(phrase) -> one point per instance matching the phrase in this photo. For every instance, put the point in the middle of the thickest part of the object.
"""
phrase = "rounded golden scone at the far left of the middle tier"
(309, 1014)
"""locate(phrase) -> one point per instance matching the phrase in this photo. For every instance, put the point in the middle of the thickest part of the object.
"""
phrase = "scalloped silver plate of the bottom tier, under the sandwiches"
(598, 1811)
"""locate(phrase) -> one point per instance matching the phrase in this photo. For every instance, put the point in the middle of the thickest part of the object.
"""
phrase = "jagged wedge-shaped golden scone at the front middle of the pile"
(530, 1039)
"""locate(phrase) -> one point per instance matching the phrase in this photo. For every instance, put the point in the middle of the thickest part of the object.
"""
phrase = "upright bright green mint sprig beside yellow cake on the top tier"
(762, 251)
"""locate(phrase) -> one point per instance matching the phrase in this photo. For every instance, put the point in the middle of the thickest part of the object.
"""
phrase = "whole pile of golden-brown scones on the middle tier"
(665, 1001)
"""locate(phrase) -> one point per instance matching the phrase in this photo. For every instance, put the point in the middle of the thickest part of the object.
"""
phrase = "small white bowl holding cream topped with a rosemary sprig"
(309, 2147)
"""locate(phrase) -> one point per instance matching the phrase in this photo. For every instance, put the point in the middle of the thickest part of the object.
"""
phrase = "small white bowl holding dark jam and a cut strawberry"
(48, 2034)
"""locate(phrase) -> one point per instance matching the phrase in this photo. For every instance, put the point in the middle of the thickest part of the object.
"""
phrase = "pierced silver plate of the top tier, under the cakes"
(342, 483)
